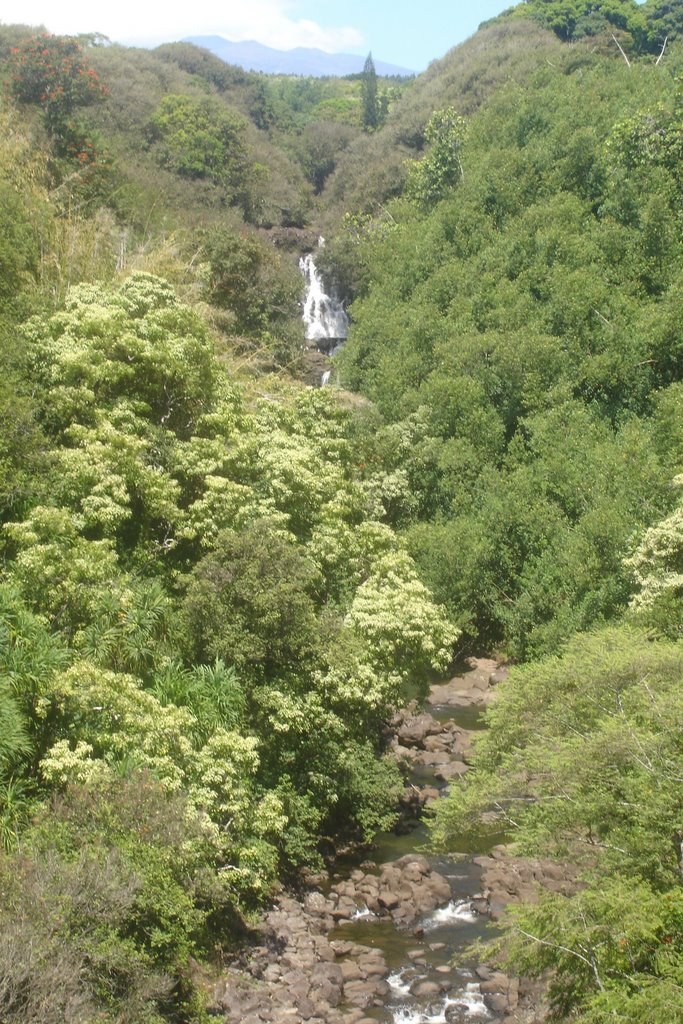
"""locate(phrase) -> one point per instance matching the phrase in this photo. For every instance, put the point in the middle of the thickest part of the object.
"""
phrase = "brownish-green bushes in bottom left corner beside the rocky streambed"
(100, 916)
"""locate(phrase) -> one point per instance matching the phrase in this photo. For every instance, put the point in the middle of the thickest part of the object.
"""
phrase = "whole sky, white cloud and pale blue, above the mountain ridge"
(402, 32)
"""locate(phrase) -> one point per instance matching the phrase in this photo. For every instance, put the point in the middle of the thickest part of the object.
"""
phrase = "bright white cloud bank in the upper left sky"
(274, 23)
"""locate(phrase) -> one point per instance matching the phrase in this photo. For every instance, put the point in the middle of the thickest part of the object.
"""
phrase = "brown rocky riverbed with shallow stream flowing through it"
(375, 944)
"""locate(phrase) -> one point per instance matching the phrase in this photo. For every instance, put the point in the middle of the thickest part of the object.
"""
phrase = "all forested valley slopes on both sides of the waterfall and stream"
(220, 584)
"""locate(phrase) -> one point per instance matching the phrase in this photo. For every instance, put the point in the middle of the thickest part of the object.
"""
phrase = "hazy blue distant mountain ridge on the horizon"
(303, 61)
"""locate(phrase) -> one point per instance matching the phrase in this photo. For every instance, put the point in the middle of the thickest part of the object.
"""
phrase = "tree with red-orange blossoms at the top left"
(54, 72)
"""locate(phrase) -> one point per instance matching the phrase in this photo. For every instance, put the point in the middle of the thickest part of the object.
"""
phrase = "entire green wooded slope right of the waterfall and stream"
(518, 326)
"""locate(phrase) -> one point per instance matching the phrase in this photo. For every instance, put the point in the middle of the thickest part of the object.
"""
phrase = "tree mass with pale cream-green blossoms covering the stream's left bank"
(203, 629)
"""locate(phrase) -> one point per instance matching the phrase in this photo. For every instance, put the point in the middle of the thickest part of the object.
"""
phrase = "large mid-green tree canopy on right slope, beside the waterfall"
(520, 337)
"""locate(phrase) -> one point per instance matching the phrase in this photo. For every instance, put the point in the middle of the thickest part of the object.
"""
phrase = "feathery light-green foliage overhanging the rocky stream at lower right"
(583, 762)
